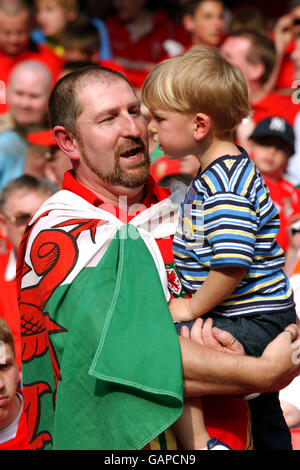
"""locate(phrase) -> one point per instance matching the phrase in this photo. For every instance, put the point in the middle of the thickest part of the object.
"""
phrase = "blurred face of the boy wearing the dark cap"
(270, 157)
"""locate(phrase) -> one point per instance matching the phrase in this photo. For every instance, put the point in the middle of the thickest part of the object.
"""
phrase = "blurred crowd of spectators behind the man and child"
(41, 40)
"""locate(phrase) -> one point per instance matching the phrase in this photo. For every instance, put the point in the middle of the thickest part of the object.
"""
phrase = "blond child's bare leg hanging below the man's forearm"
(190, 427)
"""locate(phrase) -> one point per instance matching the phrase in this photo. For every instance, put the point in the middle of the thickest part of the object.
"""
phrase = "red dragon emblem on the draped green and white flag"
(36, 325)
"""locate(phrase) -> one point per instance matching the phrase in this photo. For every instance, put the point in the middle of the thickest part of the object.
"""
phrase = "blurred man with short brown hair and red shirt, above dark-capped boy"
(255, 54)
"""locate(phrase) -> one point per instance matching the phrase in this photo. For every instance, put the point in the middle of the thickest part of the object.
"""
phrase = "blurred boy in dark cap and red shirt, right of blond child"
(272, 144)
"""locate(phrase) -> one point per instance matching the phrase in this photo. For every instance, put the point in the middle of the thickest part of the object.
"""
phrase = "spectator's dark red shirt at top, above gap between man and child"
(140, 38)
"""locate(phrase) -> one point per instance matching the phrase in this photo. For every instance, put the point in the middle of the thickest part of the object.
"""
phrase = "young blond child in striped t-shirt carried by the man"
(224, 247)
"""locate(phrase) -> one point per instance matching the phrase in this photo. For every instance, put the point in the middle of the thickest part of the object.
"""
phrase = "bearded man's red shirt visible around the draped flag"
(226, 417)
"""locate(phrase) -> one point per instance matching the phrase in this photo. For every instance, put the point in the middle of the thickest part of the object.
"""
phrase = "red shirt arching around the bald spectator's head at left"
(34, 52)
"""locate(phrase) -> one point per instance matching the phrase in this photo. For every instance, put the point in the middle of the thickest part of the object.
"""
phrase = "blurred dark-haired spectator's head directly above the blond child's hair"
(204, 21)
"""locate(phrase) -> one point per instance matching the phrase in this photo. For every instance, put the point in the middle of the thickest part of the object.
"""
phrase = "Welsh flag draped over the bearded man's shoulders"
(101, 357)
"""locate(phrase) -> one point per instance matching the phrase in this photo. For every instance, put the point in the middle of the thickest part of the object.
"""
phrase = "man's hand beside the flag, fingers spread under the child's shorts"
(206, 334)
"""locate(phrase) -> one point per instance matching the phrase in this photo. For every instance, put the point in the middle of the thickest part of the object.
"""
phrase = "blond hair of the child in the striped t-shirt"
(200, 80)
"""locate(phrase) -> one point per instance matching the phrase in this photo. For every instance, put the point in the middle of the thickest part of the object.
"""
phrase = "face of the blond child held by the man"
(173, 131)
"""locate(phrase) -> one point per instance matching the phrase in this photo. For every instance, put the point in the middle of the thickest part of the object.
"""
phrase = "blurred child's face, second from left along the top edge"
(51, 17)
